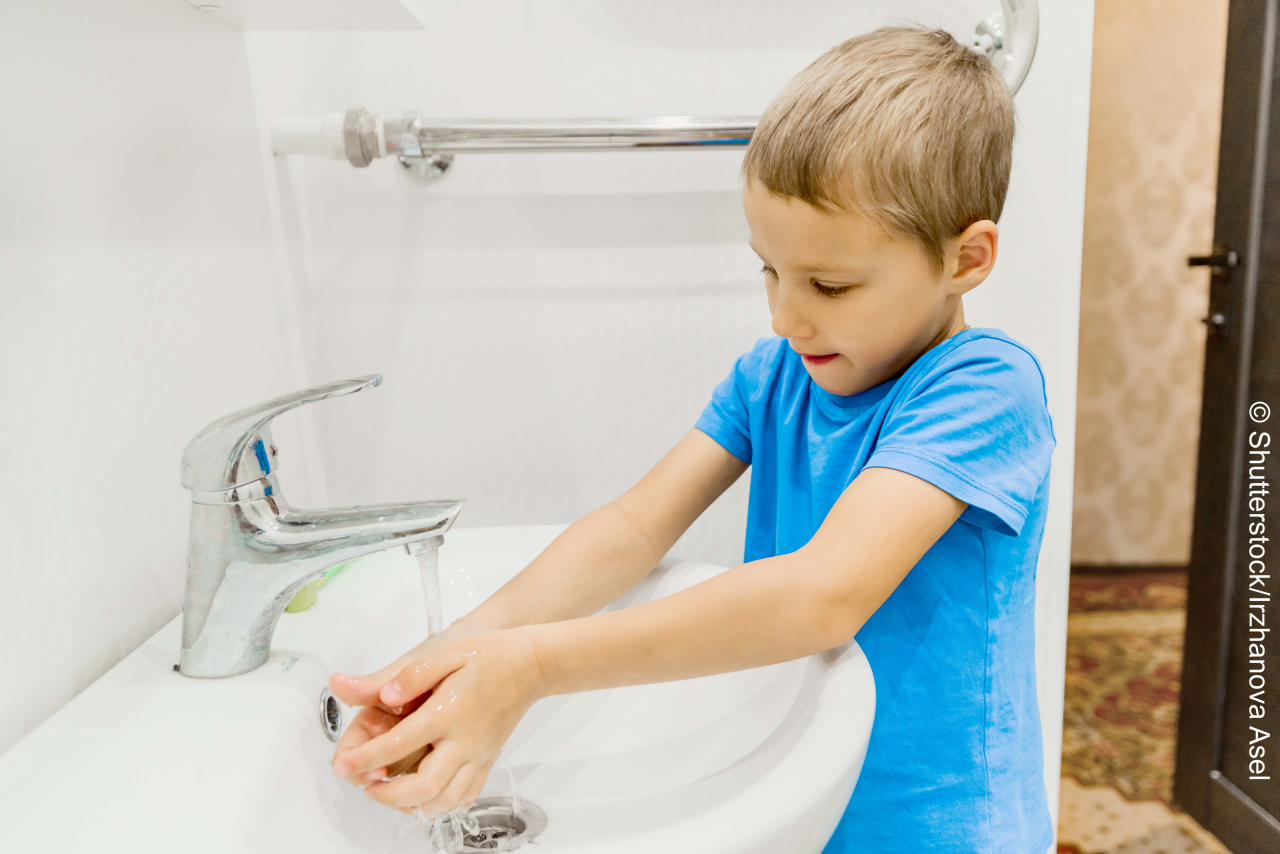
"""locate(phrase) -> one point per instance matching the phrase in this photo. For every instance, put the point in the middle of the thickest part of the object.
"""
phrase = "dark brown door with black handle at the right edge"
(1228, 774)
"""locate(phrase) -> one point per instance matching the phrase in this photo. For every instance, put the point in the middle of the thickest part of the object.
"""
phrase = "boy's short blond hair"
(903, 125)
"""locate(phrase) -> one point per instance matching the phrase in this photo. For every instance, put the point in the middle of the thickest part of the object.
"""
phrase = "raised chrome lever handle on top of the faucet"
(237, 449)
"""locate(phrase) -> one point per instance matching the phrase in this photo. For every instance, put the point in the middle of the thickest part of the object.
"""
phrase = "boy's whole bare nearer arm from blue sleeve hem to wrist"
(764, 613)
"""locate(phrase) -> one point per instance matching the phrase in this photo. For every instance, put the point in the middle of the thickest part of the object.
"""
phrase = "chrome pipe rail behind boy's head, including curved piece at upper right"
(428, 145)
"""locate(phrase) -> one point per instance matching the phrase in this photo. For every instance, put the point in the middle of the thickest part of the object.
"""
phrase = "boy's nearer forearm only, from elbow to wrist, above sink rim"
(758, 614)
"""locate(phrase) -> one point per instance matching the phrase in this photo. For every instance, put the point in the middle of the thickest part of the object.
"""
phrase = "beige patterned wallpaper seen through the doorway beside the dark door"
(1154, 125)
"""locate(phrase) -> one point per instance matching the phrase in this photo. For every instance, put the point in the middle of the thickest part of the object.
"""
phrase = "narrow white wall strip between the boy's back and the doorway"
(1035, 295)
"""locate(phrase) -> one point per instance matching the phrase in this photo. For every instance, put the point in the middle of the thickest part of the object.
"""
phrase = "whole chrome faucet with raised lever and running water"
(250, 552)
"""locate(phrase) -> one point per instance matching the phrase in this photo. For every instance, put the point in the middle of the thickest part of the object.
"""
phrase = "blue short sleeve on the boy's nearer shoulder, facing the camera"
(979, 428)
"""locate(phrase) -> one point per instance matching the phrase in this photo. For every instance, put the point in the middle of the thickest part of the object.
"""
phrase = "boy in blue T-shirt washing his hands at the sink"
(899, 485)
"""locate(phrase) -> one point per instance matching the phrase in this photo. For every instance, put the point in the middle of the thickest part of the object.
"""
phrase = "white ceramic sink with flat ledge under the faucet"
(756, 761)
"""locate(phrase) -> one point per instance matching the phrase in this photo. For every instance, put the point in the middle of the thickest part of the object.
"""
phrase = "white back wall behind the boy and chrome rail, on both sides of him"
(551, 325)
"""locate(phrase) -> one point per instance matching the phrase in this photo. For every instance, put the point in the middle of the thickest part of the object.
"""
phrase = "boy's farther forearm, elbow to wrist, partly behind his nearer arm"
(592, 563)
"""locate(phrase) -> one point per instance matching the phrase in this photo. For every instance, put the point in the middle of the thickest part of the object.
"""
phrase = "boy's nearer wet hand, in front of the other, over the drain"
(477, 688)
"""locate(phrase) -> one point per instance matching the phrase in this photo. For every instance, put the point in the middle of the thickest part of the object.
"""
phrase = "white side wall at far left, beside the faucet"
(139, 304)
